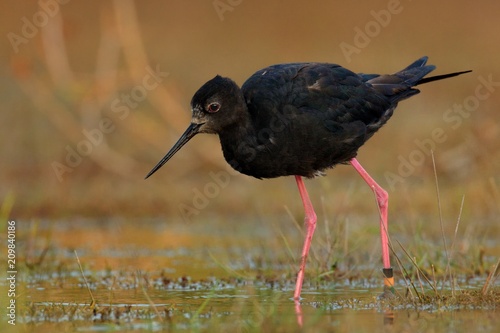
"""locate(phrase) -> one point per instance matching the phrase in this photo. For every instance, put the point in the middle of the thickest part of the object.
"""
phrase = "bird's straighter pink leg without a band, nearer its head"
(310, 221)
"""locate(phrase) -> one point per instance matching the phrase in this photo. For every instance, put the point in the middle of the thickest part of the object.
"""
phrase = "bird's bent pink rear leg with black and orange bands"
(382, 200)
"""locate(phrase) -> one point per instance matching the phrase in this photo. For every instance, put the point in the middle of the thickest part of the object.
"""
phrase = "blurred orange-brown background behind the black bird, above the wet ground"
(94, 93)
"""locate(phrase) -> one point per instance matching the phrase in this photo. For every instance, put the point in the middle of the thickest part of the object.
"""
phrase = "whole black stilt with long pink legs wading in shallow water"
(300, 119)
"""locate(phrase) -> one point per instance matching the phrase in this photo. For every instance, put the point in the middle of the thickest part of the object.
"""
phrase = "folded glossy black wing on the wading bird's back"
(327, 92)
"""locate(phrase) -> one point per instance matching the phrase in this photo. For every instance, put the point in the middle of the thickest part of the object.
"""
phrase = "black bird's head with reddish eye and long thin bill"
(215, 106)
